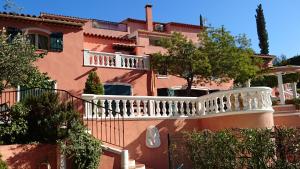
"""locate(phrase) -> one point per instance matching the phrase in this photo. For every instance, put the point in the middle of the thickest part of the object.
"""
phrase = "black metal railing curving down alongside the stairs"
(109, 130)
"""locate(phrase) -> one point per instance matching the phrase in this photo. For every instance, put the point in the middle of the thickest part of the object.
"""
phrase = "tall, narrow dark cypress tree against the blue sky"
(261, 31)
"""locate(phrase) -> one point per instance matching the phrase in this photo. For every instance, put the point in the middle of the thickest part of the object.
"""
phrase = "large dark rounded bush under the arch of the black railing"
(48, 118)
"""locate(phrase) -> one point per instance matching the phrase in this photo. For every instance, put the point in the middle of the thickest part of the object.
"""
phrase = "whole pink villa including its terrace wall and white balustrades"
(120, 53)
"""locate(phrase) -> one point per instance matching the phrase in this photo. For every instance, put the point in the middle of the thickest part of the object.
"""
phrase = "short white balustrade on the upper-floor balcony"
(115, 60)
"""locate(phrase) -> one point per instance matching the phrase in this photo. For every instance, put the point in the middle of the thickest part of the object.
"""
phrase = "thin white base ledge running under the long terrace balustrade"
(187, 117)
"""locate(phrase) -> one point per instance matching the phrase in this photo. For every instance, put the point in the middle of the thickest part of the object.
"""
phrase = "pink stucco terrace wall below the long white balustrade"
(157, 158)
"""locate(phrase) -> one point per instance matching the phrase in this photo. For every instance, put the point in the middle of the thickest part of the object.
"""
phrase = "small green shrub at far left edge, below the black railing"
(15, 130)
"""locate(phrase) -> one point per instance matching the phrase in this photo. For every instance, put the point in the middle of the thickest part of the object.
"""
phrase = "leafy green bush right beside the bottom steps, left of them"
(82, 148)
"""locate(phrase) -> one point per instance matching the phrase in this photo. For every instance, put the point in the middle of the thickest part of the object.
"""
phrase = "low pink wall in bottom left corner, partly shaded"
(32, 156)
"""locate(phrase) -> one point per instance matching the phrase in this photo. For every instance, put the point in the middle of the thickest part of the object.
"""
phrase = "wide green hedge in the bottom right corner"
(244, 148)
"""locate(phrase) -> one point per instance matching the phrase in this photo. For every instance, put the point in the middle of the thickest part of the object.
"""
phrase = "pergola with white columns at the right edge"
(282, 70)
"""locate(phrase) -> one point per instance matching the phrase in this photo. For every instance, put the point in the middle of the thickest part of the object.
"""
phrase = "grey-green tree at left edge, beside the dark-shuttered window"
(17, 57)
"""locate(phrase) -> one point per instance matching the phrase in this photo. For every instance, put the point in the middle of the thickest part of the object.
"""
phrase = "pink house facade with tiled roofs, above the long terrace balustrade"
(120, 52)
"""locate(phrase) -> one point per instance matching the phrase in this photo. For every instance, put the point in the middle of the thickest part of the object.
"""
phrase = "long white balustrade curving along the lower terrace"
(239, 100)
